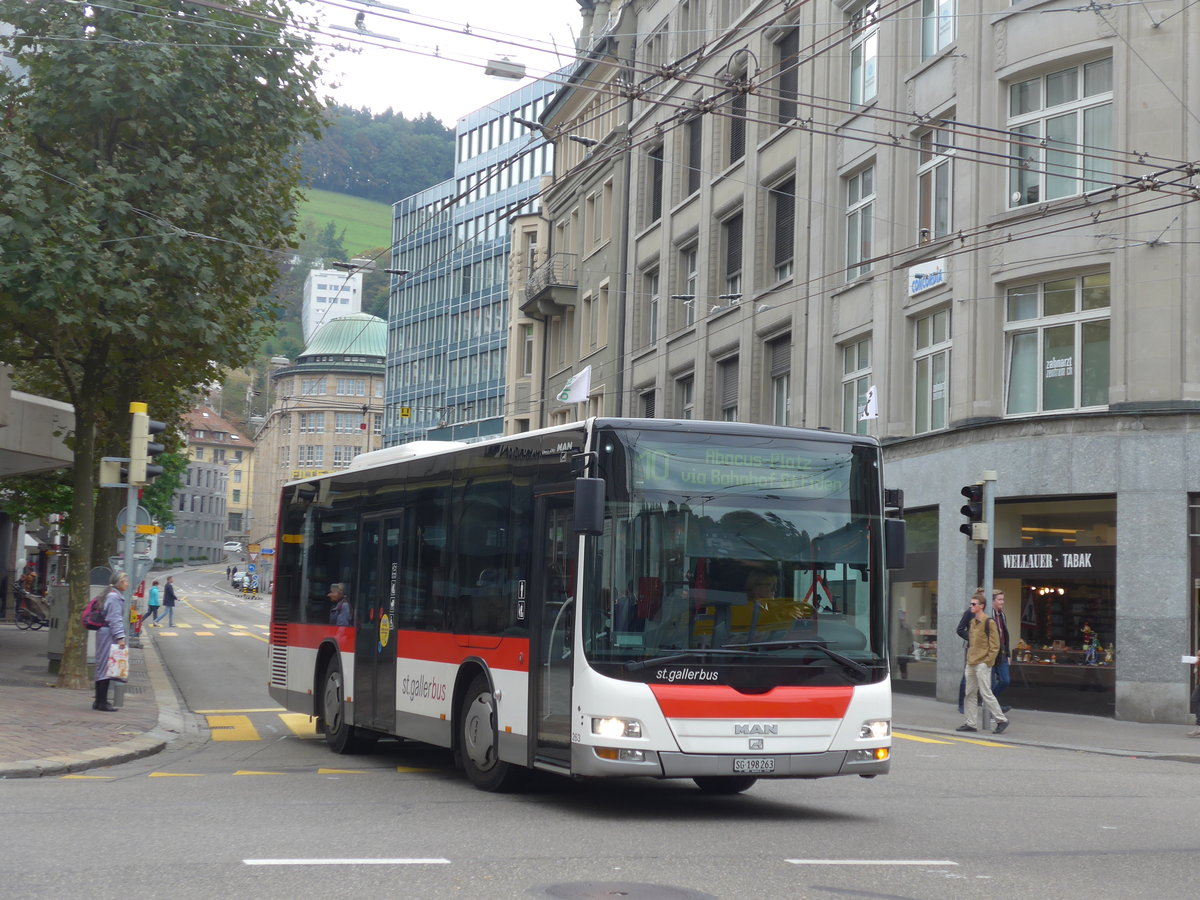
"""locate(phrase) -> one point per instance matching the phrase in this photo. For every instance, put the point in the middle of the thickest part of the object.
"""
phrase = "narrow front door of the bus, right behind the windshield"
(555, 615)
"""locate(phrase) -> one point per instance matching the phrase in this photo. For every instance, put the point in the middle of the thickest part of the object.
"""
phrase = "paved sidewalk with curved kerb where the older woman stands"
(51, 731)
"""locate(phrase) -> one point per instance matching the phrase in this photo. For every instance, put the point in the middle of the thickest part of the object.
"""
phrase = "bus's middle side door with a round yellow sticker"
(375, 620)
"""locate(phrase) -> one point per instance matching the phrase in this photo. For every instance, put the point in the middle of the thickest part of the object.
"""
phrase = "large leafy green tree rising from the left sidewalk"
(148, 188)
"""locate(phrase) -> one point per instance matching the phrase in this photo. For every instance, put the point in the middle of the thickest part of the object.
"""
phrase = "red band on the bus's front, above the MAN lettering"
(719, 701)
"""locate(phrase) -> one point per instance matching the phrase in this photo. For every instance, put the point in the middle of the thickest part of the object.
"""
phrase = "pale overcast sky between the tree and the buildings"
(423, 63)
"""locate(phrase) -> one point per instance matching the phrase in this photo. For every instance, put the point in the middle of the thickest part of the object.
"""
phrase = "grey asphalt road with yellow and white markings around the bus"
(269, 813)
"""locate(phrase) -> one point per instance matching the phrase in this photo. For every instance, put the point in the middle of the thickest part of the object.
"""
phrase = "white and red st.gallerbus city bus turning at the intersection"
(613, 598)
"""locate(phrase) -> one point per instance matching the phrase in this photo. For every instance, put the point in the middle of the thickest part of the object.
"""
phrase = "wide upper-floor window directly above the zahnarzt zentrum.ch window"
(1065, 121)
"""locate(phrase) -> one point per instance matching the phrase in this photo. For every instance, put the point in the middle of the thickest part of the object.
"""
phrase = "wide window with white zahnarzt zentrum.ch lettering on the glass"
(1058, 337)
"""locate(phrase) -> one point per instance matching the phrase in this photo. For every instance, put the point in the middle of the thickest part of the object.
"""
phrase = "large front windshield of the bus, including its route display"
(737, 559)
